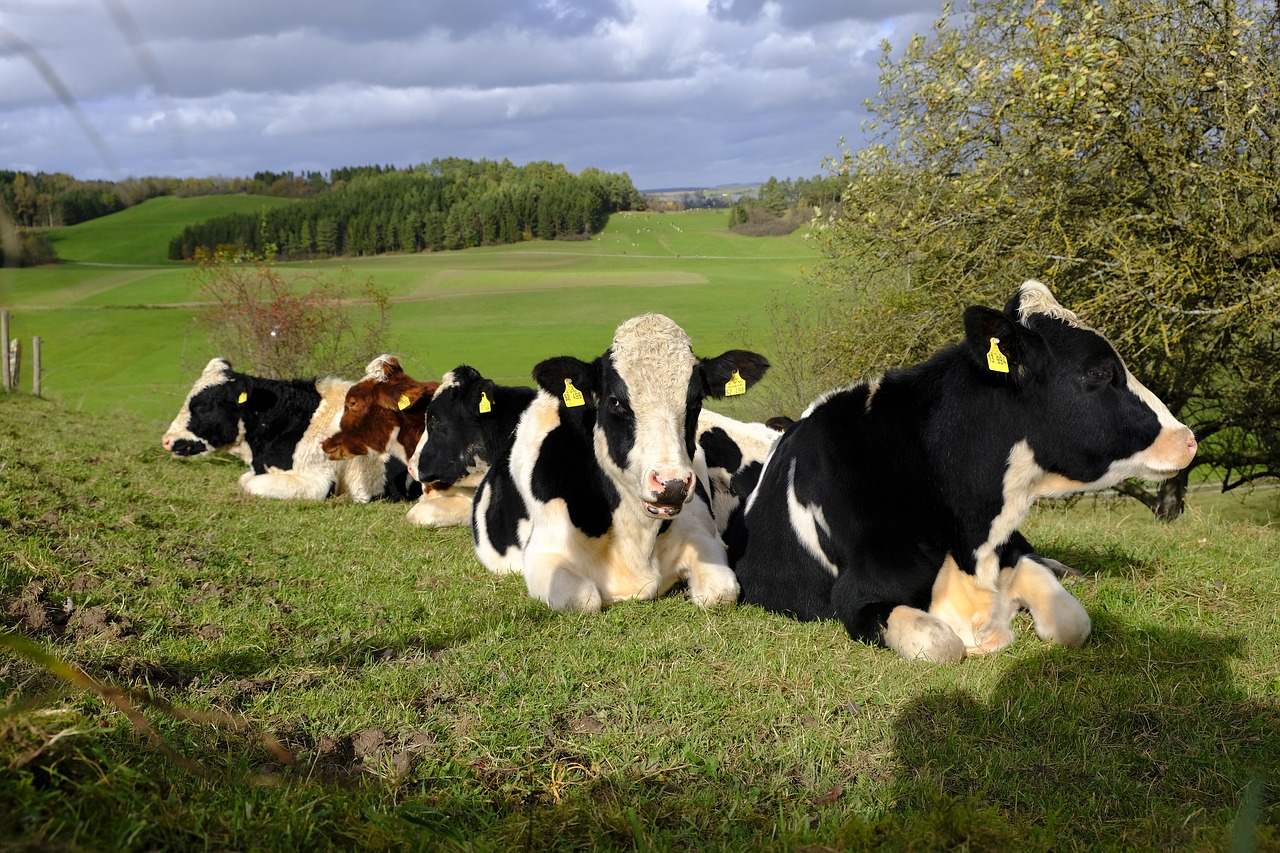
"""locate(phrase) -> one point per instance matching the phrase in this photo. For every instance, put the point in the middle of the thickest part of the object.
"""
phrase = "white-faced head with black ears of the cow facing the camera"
(644, 396)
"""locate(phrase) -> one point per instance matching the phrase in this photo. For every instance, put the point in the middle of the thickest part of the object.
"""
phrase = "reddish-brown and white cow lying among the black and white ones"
(385, 414)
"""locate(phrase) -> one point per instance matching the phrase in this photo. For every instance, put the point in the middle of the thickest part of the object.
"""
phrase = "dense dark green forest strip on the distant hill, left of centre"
(445, 204)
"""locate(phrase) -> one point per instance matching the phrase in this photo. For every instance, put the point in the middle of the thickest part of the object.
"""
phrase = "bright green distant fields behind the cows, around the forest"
(120, 339)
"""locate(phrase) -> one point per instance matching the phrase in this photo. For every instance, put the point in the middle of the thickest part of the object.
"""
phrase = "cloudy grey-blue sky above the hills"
(674, 93)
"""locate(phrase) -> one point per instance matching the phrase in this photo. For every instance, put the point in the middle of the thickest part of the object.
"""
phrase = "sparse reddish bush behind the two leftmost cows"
(285, 326)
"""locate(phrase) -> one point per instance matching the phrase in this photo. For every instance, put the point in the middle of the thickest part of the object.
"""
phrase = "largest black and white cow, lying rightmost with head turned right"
(894, 505)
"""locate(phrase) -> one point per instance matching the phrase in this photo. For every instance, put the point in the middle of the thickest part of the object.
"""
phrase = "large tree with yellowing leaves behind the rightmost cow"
(1126, 153)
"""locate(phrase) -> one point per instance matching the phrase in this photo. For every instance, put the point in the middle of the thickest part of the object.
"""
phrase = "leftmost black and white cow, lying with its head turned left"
(277, 427)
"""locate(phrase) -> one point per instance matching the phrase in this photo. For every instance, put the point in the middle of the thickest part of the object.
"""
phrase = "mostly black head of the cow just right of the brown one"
(452, 451)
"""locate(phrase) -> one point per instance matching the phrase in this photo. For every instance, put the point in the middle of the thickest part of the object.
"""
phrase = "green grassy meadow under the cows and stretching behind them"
(290, 676)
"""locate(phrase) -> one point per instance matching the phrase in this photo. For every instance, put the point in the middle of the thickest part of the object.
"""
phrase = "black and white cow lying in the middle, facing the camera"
(606, 468)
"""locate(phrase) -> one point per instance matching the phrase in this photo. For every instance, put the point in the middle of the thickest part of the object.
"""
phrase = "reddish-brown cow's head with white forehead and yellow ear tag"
(371, 414)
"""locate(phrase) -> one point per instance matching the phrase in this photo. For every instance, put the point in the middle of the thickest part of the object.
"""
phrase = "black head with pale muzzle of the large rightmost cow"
(1087, 421)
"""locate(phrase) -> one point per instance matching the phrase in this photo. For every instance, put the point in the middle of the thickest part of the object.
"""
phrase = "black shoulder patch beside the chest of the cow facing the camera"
(566, 468)
